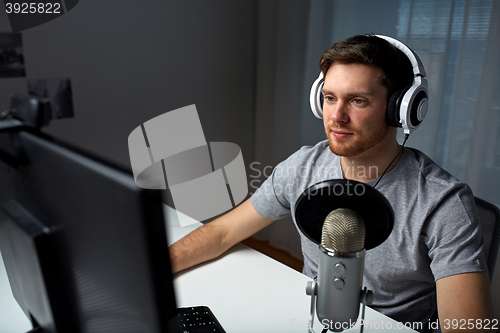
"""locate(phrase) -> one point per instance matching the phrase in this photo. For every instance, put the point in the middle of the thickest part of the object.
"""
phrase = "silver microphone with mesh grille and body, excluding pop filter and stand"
(340, 269)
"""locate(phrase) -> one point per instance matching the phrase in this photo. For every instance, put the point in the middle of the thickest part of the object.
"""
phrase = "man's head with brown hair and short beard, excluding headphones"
(360, 73)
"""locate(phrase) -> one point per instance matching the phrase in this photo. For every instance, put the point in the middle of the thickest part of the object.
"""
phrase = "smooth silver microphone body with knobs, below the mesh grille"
(340, 278)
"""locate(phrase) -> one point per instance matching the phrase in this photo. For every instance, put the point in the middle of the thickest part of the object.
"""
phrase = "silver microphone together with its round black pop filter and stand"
(345, 218)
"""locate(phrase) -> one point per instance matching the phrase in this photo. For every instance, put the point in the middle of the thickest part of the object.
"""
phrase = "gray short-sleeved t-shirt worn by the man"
(436, 229)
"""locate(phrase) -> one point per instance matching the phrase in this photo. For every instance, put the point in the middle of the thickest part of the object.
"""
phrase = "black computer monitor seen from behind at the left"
(84, 247)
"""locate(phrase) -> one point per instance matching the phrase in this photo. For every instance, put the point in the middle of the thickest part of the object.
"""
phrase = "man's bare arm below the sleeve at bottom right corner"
(464, 302)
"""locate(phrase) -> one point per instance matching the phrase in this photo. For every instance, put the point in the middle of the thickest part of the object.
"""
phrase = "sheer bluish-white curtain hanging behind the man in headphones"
(459, 44)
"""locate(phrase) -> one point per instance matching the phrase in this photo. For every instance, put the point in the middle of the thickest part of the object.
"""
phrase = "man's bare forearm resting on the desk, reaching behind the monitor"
(216, 237)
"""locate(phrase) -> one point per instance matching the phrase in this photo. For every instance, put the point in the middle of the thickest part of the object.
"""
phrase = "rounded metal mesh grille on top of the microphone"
(343, 231)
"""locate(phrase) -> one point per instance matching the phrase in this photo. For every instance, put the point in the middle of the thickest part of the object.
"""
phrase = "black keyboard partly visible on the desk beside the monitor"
(198, 319)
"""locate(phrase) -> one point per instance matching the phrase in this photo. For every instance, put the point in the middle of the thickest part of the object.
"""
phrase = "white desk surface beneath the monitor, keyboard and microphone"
(246, 290)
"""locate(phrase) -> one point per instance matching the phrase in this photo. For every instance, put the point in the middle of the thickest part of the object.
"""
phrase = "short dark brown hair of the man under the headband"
(373, 51)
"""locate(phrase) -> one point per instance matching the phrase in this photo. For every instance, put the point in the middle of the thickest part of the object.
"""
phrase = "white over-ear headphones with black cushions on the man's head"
(406, 107)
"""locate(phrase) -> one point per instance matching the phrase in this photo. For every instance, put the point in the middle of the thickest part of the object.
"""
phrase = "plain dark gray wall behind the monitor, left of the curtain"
(132, 60)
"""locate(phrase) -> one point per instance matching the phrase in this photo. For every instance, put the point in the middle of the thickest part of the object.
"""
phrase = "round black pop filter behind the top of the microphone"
(315, 203)
